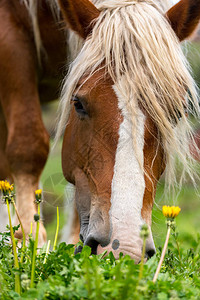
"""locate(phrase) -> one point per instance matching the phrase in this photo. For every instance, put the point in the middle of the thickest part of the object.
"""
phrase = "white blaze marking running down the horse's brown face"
(128, 184)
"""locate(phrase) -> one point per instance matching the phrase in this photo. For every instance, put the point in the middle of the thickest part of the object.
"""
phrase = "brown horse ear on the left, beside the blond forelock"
(79, 15)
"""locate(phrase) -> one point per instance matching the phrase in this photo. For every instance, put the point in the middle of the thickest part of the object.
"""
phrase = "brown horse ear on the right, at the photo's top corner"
(184, 17)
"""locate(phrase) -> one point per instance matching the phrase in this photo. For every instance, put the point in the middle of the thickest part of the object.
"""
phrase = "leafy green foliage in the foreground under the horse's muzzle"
(84, 276)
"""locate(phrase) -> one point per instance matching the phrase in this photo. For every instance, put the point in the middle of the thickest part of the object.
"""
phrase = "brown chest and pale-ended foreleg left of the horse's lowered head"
(33, 55)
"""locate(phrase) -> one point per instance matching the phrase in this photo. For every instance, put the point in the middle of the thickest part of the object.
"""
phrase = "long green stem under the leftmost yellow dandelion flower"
(17, 277)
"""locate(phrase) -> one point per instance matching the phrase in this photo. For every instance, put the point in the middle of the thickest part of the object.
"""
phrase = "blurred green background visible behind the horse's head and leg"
(53, 183)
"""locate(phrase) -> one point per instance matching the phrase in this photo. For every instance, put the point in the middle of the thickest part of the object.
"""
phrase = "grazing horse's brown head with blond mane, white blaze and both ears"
(124, 115)
